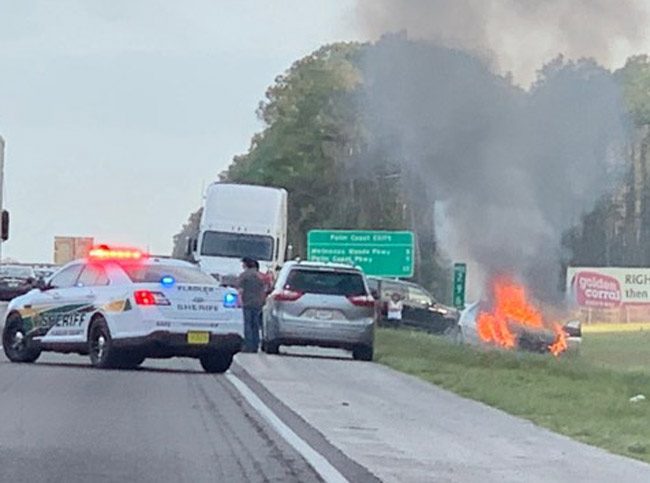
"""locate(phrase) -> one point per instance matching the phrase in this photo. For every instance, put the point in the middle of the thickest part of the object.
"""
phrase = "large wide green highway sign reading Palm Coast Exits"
(381, 253)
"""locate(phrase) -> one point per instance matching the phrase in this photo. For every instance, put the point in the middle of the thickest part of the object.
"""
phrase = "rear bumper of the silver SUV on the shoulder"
(343, 334)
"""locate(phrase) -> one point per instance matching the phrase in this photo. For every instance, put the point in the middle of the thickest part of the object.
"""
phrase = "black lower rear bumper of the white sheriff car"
(164, 343)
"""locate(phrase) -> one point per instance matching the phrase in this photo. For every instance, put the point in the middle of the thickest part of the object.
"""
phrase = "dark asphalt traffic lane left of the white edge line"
(63, 421)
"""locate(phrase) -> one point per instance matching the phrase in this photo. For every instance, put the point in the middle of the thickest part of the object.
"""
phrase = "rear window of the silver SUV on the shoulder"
(326, 282)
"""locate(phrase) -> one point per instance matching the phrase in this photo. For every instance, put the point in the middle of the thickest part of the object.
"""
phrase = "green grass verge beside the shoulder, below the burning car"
(584, 396)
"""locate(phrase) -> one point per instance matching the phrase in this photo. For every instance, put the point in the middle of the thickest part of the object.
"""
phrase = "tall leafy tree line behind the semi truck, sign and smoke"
(317, 144)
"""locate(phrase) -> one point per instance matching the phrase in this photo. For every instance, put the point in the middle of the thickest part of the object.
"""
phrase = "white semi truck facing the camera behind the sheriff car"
(239, 221)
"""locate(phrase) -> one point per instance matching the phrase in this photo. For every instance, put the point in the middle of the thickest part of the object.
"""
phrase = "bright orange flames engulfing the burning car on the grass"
(511, 307)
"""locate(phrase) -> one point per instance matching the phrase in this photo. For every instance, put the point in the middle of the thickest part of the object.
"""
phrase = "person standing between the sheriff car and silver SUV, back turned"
(253, 293)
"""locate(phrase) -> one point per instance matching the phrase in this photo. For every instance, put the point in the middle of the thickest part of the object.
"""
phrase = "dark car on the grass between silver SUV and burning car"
(420, 309)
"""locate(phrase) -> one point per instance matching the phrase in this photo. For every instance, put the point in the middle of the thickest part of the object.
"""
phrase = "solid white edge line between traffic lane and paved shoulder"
(313, 457)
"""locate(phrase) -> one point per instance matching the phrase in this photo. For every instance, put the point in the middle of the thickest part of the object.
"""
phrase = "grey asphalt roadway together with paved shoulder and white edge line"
(63, 421)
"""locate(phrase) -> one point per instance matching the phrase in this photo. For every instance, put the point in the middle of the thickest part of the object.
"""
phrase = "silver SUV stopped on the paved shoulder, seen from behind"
(320, 304)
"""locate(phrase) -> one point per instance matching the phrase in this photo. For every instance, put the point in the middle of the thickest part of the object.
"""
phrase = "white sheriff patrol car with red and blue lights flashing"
(120, 306)
